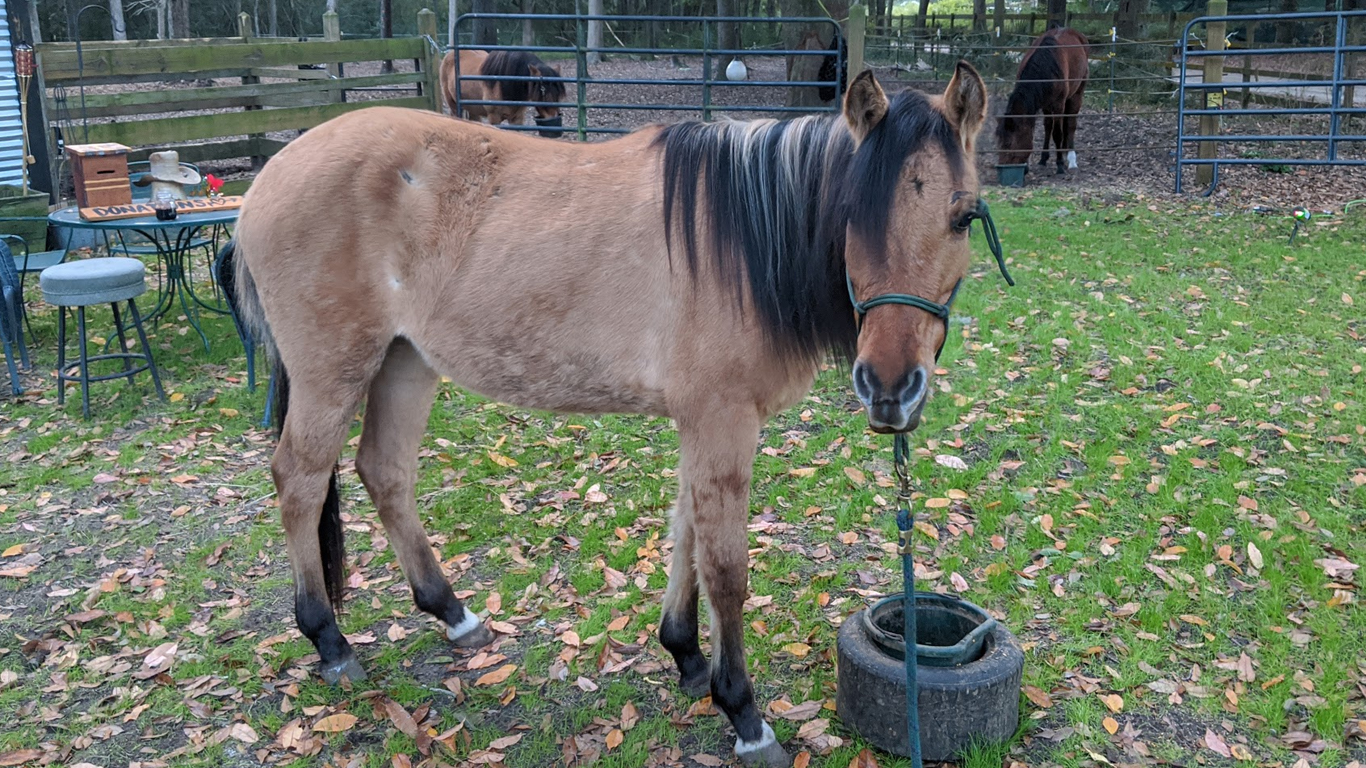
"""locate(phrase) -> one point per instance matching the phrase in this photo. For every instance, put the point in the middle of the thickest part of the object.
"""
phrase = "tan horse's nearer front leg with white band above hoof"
(716, 464)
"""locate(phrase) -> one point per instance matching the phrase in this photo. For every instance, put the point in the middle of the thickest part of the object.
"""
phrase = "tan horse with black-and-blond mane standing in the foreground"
(701, 273)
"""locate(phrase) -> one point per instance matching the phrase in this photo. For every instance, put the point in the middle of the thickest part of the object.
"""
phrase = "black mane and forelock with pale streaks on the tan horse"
(777, 202)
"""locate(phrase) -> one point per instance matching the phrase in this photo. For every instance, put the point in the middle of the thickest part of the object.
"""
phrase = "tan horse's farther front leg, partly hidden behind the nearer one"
(678, 627)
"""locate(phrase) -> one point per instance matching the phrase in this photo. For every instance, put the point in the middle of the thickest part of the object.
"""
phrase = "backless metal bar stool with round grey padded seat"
(94, 282)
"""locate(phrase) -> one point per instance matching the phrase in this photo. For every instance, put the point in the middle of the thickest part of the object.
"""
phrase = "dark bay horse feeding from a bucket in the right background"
(1051, 80)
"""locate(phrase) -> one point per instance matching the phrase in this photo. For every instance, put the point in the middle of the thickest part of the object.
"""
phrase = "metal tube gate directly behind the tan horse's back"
(710, 83)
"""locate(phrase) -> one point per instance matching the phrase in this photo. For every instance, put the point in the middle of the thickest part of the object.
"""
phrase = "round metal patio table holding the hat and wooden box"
(174, 240)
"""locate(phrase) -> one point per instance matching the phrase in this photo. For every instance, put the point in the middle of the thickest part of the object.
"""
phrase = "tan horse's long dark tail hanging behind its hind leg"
(240, 288)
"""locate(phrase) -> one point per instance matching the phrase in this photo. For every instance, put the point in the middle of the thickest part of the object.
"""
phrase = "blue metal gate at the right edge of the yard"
(1337, 107)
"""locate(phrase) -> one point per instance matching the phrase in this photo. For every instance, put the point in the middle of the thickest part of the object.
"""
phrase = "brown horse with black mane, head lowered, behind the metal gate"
(503, 64)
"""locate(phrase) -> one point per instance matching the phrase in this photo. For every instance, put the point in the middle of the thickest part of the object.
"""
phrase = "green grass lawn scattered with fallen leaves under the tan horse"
(1159, 394)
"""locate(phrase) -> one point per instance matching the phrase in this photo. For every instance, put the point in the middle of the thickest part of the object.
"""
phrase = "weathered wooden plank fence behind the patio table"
(274, 85)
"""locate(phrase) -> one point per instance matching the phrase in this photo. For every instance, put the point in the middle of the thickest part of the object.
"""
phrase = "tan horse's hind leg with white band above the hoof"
(387, 461)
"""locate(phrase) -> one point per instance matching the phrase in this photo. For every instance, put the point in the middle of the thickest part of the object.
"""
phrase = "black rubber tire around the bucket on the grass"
(960, 706)
